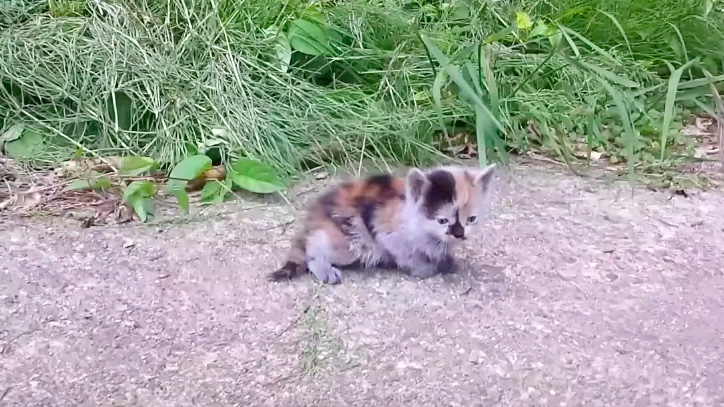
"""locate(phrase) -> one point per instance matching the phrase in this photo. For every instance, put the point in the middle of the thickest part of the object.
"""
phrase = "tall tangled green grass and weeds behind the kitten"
(299, 83)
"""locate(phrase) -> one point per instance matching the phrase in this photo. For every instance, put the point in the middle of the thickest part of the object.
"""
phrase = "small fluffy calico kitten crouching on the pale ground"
(385, 221)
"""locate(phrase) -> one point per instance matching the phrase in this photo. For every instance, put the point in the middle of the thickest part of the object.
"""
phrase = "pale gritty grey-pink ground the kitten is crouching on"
(577, 296)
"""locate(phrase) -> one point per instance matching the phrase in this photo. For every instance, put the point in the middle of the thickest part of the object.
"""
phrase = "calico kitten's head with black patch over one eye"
(449, 202)
